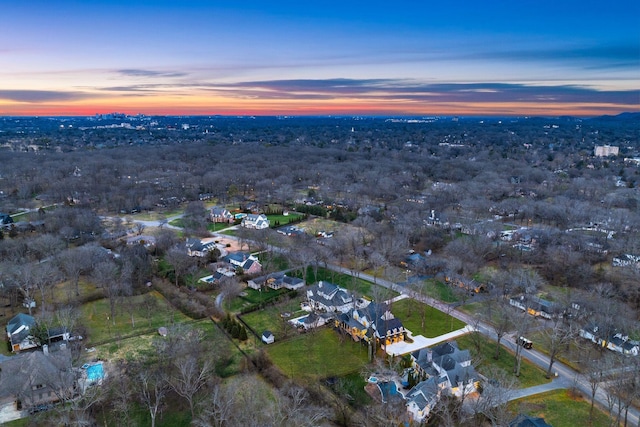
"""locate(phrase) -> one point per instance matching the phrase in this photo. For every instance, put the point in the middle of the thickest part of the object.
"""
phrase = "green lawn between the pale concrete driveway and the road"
(409, 311)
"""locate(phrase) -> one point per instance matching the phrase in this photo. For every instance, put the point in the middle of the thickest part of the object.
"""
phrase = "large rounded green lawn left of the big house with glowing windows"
(318, 354)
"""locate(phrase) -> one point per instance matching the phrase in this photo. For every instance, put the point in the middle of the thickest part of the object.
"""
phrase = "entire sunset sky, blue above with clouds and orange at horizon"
(74, 57)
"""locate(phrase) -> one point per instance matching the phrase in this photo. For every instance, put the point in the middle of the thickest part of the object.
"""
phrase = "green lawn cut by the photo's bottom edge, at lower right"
(560, 409)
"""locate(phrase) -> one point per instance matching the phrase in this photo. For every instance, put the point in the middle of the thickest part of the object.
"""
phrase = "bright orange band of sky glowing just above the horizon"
(173, 105)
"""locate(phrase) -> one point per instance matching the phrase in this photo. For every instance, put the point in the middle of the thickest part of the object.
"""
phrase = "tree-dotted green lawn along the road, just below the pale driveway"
(530, 374)
